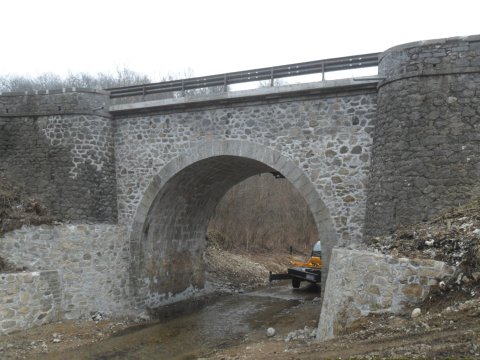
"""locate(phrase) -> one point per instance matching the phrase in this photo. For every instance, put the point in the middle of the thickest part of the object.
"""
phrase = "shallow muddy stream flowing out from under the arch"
(188, 329)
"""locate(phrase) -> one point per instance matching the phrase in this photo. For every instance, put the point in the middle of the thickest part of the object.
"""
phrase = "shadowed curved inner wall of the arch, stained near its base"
(175, 227)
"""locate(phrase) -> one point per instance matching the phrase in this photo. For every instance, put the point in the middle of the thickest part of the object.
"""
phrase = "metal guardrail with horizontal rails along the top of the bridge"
(272, 73)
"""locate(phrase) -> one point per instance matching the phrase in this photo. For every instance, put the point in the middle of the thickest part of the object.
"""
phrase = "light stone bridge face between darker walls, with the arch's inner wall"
(324, 141)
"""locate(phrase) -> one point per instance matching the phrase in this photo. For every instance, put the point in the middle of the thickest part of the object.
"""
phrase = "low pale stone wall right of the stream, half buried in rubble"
(362, 282)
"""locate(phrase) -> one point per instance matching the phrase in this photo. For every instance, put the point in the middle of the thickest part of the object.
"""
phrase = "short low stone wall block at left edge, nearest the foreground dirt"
(29, 299)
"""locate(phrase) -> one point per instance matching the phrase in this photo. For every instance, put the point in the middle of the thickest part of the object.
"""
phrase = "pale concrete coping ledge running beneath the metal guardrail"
(261, 94)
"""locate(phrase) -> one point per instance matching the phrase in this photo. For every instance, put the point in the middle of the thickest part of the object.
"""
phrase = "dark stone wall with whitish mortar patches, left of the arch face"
(67, 159)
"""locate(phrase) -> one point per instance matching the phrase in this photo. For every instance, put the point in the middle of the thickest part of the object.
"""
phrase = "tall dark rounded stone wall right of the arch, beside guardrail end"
(426, 153)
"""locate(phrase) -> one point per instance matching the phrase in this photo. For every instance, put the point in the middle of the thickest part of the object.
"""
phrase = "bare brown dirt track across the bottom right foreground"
(451, 334)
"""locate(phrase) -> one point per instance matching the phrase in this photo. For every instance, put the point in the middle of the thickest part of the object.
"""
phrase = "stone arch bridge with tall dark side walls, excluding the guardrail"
(365, 155)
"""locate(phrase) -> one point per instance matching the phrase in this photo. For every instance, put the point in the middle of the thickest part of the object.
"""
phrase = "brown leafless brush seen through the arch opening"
(263, 213)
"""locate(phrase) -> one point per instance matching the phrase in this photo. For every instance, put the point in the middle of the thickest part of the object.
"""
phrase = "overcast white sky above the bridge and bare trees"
(211, 37)
